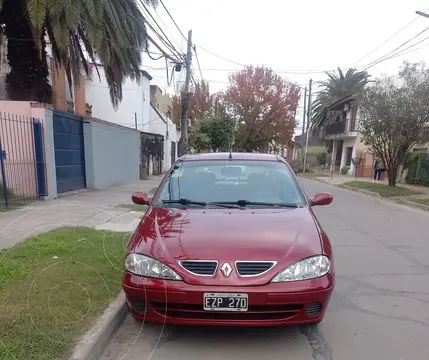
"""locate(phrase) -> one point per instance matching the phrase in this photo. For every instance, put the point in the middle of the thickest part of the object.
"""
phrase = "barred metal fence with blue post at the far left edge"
(22, 165)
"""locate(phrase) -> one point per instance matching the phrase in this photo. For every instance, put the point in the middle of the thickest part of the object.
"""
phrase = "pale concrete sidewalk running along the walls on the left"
(90, 208)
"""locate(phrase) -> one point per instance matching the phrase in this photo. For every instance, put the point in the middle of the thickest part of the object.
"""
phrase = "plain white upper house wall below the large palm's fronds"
(135, 101)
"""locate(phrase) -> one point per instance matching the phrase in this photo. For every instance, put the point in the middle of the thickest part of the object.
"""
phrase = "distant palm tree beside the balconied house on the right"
(337, 86)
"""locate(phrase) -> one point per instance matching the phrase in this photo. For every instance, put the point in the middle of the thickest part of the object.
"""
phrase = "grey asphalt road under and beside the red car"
(379, 310)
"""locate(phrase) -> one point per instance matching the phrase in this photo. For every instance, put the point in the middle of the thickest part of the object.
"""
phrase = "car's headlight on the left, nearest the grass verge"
(146, 266)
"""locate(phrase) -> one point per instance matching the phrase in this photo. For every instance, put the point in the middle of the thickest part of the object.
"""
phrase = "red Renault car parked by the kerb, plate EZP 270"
(229, 239)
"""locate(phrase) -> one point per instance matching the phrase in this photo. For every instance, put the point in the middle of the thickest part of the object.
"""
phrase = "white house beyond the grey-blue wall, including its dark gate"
(143, 107)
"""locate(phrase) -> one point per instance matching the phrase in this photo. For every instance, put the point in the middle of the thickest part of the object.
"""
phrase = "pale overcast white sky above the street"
(298, 40)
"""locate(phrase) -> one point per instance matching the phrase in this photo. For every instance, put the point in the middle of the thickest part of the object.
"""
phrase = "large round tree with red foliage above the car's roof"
(263, 105)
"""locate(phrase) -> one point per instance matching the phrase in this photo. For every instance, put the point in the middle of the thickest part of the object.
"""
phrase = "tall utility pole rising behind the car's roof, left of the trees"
(183, 142)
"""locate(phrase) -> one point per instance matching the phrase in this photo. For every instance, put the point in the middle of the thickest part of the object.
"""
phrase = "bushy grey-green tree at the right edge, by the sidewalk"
(395, 118)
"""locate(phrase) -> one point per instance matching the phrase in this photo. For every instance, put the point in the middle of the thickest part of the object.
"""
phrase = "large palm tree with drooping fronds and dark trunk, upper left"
(107, 32)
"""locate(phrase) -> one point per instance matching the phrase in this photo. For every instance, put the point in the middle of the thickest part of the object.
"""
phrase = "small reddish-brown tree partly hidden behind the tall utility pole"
(200, 103)
